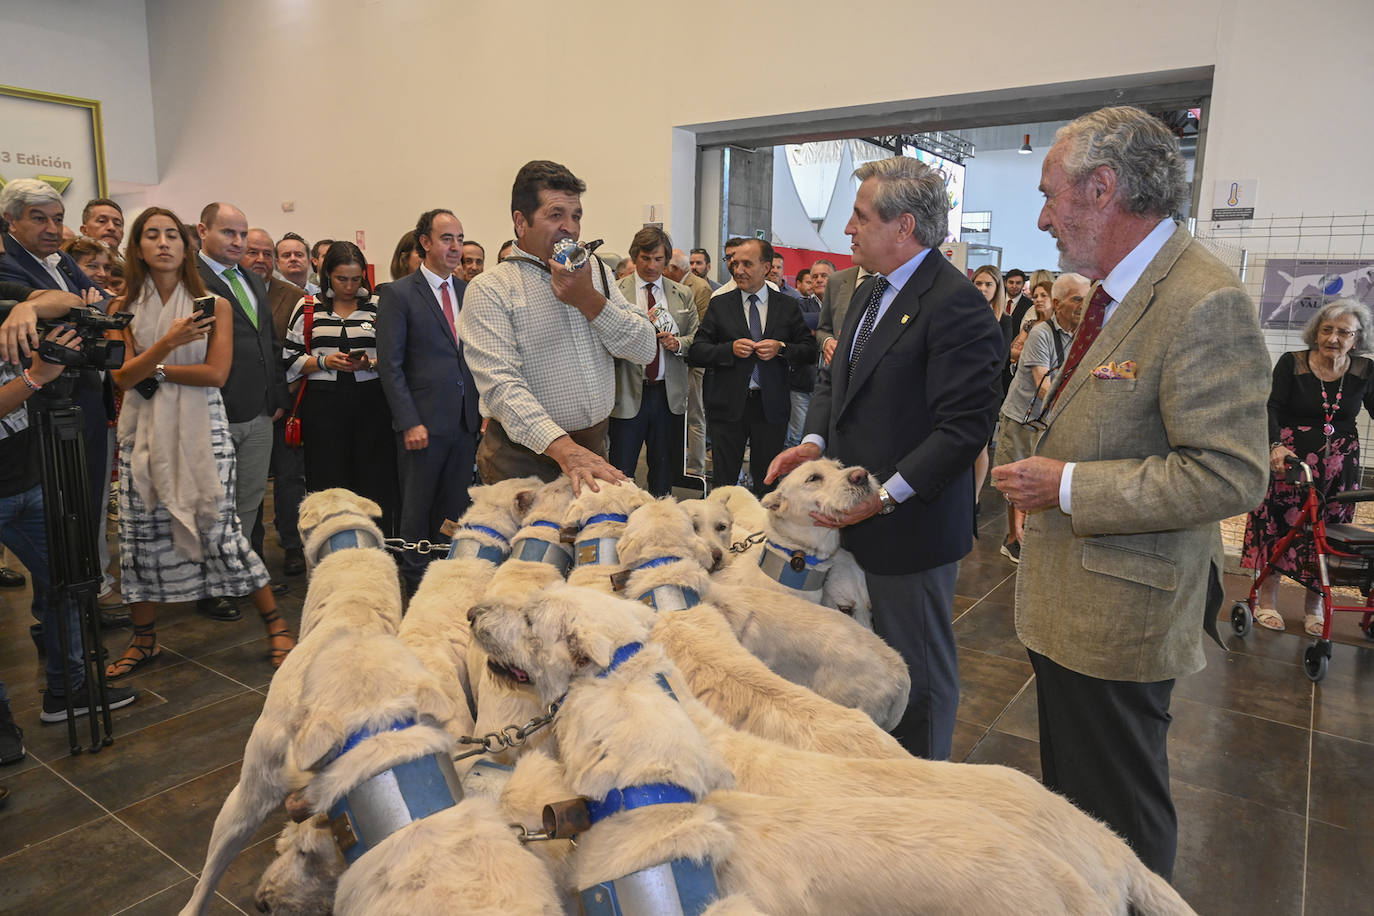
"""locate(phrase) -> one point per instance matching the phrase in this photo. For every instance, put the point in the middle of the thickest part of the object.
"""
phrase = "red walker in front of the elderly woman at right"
(1344, 557)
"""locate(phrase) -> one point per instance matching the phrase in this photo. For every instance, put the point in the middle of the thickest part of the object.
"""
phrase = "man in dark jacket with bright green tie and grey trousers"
(255, 395)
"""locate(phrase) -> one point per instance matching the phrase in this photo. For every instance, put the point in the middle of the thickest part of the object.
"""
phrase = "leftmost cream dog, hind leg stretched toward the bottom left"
(354, 595)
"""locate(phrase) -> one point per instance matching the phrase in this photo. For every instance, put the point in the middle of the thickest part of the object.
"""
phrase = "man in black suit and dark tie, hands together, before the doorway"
(740, 344)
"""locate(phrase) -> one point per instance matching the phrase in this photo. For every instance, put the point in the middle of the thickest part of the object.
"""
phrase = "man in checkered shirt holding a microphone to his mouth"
(542, 343)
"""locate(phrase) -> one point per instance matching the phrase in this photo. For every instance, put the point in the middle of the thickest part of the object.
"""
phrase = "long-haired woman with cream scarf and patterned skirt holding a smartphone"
(179, 528)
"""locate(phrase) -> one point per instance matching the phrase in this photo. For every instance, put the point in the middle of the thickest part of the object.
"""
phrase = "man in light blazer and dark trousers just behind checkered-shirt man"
(651, 400)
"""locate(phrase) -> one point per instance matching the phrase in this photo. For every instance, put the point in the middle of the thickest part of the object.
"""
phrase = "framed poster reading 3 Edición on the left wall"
(56, 139)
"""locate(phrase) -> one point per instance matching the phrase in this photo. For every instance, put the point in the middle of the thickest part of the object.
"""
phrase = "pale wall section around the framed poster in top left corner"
(91, 50)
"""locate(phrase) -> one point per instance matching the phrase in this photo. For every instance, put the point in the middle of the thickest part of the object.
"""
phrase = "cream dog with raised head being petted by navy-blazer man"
(802, 557)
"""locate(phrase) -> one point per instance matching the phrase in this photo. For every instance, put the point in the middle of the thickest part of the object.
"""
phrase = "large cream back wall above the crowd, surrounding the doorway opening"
(366, 113)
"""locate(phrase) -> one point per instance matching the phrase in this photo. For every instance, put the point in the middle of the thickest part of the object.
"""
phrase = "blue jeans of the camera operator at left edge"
(24, 531)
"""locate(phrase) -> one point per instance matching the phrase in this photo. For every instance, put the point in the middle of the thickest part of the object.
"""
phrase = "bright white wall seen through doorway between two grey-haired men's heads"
(1005, 182)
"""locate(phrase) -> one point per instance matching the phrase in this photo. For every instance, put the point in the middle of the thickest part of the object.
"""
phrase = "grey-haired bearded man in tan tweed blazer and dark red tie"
(1155, 432)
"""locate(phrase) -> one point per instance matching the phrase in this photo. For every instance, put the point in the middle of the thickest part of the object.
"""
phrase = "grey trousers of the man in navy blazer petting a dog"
(914, 613)
